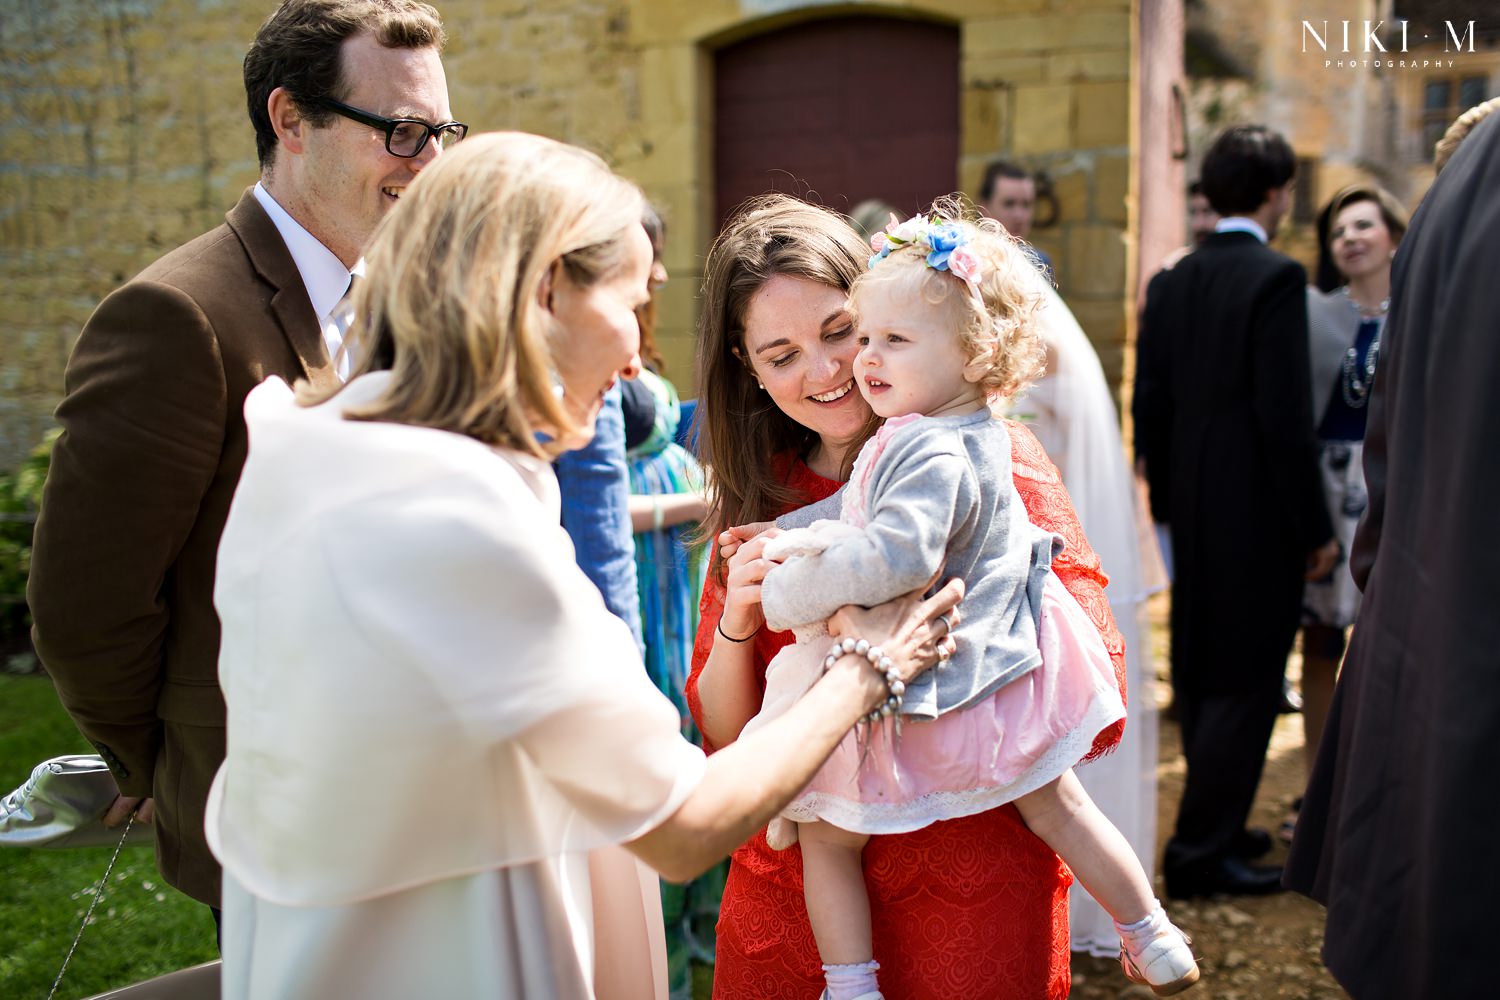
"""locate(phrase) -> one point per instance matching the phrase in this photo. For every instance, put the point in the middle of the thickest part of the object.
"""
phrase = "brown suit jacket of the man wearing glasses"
(140, 487)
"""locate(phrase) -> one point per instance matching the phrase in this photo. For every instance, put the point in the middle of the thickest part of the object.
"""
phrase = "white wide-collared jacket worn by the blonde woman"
(422, 690)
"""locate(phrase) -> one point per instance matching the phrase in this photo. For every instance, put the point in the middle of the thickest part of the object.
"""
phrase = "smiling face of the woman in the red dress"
(800, 346)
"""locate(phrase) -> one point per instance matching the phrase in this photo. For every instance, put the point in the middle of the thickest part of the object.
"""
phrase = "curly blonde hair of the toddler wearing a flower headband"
(995, 322)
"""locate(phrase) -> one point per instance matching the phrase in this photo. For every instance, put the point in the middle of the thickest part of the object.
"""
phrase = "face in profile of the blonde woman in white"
(599, 338)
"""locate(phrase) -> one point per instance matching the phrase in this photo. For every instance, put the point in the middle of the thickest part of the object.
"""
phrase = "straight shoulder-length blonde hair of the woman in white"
(457, 277)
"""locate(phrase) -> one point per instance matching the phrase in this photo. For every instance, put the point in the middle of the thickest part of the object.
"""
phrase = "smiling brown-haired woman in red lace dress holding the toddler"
(974, 908)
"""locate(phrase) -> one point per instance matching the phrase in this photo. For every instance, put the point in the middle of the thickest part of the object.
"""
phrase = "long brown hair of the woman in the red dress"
(739, 428)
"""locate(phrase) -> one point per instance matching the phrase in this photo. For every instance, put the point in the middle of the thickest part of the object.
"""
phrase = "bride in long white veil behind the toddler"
(1073, 416)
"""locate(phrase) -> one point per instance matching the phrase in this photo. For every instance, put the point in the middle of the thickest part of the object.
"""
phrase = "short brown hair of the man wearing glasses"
(301, 47)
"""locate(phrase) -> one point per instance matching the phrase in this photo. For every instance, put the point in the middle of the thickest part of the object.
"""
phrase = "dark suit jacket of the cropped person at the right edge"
(1402, 807)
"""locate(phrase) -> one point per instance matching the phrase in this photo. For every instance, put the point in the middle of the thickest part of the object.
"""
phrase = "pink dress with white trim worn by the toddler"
(892, 779)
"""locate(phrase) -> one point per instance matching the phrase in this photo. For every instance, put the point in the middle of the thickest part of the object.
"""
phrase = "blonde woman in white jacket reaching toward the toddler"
(439, 735)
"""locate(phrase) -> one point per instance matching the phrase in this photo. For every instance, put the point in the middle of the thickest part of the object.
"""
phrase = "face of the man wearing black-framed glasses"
(337, 179)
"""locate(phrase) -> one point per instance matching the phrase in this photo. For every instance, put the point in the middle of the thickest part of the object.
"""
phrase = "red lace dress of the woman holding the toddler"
(968, 908)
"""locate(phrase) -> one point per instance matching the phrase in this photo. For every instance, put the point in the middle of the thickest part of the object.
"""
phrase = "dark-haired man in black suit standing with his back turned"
(1225, 425)
